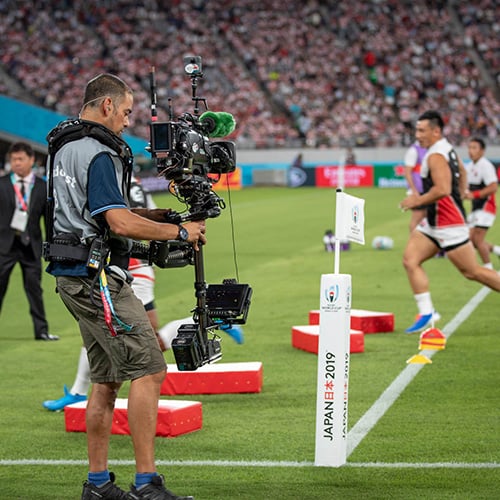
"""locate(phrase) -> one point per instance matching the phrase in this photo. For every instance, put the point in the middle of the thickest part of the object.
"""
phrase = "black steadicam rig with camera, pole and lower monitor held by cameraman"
(185, 155)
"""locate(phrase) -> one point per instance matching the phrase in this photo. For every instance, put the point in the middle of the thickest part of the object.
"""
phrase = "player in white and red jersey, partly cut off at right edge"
(482, 185)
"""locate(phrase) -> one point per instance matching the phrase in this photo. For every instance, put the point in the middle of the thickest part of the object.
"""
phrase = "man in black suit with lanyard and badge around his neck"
(22, 205)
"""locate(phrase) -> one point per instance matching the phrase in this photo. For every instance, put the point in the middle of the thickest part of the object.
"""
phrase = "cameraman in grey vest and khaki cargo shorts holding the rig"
(89, 177)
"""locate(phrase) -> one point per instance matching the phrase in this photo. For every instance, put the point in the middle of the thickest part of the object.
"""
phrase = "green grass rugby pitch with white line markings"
(449, 414)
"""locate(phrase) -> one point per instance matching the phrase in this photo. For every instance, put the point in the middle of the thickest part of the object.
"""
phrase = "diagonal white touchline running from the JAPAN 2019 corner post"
(364, 425)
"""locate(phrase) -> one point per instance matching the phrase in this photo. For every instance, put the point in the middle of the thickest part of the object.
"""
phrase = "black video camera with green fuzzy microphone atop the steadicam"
(184, 153)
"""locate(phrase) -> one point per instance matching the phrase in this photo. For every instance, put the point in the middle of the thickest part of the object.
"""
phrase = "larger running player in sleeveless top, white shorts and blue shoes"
(445, 227)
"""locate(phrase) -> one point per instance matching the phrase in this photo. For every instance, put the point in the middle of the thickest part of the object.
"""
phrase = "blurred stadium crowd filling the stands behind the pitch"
(320, 74)
